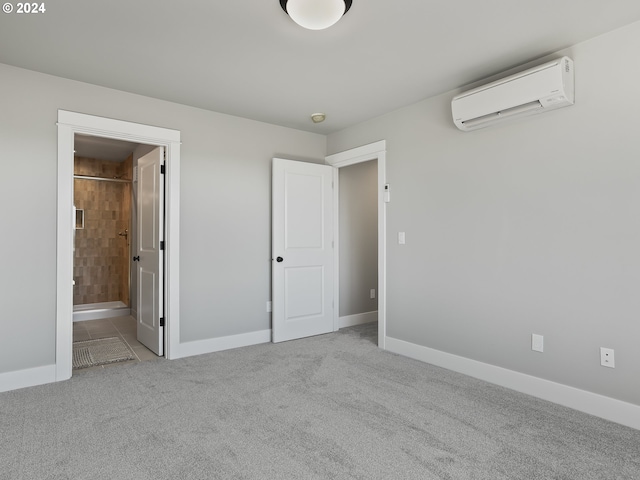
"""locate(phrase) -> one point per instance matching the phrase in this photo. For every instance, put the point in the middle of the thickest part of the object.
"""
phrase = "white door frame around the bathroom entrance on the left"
(70, 123)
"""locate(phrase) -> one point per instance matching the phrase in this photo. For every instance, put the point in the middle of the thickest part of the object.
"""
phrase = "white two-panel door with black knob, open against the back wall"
(303, 268)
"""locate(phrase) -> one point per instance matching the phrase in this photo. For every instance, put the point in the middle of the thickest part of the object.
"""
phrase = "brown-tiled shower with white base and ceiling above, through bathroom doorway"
(103, 173)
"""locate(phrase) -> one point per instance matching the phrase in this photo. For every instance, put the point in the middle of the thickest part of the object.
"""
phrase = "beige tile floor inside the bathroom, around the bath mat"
(123, 327)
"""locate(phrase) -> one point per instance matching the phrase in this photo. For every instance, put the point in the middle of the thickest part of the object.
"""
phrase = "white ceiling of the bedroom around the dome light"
(247, 58)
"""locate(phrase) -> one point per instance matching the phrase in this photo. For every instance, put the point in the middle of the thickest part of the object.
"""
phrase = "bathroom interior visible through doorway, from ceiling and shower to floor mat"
(104, 295)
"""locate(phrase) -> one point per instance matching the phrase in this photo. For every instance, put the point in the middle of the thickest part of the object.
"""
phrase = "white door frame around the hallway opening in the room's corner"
(373, 151)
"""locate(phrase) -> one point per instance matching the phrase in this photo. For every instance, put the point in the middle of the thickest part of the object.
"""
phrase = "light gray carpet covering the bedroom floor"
(328, 407)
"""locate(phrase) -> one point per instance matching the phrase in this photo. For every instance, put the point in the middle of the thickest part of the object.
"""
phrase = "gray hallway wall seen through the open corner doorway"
(358, 237)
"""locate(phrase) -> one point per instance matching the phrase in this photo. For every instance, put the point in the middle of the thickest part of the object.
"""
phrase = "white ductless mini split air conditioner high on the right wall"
(540, 89)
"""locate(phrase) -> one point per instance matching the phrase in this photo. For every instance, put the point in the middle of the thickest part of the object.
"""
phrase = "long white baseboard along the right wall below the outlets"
(592, 403)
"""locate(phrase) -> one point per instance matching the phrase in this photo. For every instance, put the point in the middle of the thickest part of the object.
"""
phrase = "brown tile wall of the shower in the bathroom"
(101, 256)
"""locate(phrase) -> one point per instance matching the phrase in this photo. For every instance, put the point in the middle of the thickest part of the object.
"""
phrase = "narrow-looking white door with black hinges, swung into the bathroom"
(149, 256)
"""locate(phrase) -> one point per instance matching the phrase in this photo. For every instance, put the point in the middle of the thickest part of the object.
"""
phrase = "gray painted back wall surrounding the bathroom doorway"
(225, 209)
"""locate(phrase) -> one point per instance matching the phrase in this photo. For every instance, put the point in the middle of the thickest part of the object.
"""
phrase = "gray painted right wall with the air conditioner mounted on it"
(529, 227)
